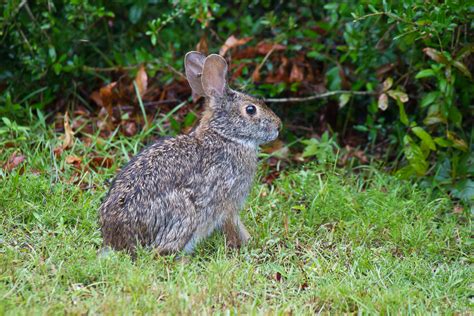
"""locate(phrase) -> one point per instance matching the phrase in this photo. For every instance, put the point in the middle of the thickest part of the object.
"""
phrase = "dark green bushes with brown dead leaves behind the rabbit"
(401, 74)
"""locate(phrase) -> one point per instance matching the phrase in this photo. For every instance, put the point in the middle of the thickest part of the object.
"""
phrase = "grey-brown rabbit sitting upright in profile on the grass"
(177, 191)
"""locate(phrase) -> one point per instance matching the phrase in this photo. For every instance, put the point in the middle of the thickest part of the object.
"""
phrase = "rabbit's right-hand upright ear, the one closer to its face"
(213, 75)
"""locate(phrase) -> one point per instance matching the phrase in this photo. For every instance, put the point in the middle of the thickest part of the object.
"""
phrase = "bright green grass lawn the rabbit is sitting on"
(323, 240)
